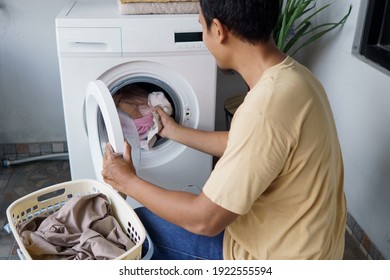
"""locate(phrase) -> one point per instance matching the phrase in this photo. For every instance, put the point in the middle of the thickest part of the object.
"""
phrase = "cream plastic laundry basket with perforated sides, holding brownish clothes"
(49, 200)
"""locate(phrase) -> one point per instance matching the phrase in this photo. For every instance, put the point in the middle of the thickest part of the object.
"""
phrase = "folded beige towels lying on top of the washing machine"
(157, 7)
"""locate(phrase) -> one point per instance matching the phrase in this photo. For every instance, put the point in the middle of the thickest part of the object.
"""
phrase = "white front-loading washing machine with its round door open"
(101, 52)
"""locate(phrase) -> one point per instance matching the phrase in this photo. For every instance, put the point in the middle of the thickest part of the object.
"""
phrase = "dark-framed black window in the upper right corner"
(372, 39)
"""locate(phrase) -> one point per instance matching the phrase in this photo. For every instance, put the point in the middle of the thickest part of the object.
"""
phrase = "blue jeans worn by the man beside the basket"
(175, 243)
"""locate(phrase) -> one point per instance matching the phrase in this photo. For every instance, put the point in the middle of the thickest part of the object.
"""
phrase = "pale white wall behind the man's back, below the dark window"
(360, 97)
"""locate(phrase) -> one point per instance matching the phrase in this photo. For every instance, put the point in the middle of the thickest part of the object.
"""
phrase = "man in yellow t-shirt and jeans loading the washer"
(277, 189)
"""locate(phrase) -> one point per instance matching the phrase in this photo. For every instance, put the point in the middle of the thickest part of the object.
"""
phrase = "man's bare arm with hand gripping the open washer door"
(195, 213)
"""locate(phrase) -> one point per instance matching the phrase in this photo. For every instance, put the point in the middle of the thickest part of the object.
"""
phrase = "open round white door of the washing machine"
(99, 102)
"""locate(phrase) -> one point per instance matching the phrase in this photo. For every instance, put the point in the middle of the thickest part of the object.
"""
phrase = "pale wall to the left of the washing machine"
(30, 94)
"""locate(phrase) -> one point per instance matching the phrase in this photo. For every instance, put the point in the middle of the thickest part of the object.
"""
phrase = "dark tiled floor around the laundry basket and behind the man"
(19, 180)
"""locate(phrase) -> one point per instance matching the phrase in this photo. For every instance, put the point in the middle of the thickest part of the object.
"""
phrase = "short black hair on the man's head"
(250, 20)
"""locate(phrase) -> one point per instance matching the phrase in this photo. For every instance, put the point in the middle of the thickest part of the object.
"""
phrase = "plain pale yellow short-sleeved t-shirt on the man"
(282, 171)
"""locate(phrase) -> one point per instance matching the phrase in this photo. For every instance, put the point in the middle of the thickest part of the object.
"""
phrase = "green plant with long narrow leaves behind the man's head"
(295, 27)
